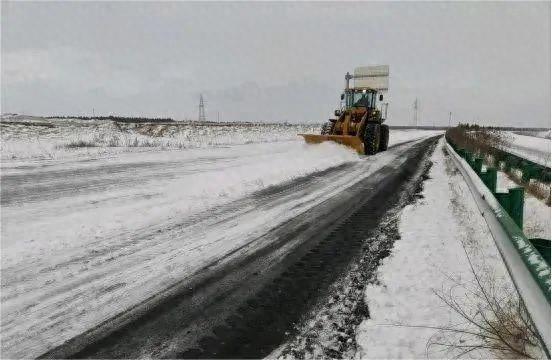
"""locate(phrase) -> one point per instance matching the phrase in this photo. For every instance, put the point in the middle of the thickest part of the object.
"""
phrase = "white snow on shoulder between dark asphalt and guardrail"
(436, 234)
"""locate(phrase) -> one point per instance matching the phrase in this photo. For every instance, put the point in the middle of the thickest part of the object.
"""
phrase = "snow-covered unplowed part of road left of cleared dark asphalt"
(86, 239)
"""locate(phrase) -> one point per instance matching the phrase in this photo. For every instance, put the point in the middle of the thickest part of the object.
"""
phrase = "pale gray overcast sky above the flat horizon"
(277, 61)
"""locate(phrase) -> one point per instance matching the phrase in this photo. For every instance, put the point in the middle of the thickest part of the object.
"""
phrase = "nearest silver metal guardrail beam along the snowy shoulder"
(529, 271)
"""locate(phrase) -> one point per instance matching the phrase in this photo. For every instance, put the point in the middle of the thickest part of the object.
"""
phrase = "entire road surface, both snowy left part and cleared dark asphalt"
(166, 244)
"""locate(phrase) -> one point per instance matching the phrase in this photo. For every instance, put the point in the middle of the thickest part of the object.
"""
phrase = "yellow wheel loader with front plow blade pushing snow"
(359, 122)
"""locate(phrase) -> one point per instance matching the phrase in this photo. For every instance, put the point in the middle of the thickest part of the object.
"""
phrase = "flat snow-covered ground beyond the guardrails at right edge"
(533, 148)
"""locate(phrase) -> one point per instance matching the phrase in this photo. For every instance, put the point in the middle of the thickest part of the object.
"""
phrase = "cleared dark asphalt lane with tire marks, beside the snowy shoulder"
(243, 304)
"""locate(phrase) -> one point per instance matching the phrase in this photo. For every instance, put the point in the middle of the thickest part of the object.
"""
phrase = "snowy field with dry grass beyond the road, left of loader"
(54, 139)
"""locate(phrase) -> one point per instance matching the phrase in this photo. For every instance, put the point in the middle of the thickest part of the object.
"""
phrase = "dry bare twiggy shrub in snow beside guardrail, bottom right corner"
(494, 319)
